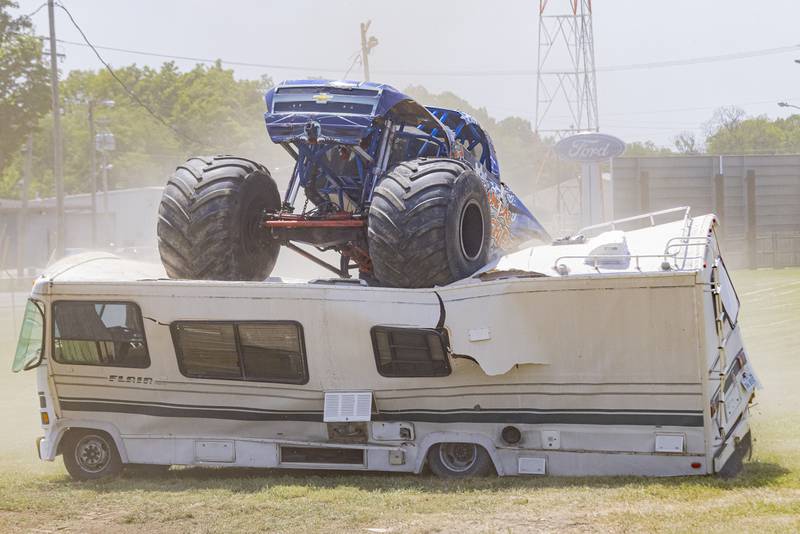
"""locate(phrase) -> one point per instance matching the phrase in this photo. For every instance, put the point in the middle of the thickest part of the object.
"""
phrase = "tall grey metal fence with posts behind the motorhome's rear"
(757, 199)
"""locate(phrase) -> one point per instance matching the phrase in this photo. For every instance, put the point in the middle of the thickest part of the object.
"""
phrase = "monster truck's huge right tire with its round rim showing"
(429, 224)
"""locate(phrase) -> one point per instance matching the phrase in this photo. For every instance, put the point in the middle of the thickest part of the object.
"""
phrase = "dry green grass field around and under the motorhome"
(39, 497)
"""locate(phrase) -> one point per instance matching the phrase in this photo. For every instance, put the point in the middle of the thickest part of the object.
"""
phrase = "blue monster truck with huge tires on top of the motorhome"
(409, 195)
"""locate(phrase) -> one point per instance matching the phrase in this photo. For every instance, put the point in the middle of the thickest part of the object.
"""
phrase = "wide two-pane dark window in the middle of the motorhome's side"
(257, 351)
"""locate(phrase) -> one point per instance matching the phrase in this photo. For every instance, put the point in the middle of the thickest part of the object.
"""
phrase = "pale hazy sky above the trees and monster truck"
(434, 43)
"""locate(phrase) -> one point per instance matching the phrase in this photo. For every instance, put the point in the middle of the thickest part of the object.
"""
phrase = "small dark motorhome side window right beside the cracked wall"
(410, 352)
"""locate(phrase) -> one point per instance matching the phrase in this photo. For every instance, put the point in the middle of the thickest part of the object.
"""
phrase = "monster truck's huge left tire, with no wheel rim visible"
(209, 221)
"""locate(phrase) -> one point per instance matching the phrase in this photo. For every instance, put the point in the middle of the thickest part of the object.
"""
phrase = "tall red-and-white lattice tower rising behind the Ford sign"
(566, 84)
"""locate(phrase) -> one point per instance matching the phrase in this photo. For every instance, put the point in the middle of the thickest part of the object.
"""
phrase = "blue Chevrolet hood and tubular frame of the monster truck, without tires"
(345, 135)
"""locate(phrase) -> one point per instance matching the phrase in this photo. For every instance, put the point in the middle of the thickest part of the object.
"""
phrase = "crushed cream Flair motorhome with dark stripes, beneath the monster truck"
(616, 352)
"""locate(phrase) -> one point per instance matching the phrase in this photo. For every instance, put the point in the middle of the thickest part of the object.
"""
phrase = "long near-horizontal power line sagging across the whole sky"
(464, 73)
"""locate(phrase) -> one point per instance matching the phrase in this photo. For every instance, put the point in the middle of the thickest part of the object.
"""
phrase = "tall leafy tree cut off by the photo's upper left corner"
(24, 86)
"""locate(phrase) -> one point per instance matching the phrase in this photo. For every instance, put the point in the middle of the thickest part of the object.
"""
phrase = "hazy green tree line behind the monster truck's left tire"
(214, 113)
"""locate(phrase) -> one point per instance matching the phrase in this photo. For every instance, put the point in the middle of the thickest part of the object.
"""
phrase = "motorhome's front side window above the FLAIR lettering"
(99, 333)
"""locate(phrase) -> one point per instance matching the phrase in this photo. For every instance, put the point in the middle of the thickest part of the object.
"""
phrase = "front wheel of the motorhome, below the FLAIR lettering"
(90, 454)
